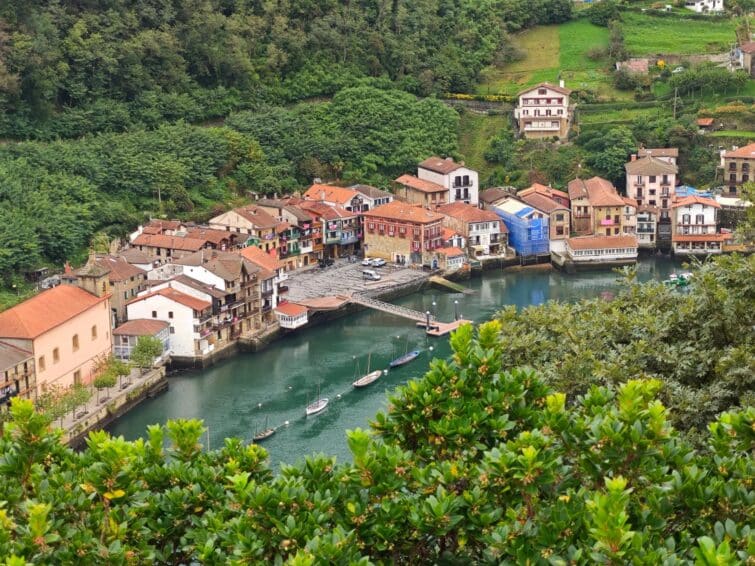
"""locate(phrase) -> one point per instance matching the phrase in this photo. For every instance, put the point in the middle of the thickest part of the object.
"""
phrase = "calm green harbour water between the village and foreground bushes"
(235, 396)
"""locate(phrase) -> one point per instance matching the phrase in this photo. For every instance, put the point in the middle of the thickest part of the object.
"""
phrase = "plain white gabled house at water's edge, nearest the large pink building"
(189, 319)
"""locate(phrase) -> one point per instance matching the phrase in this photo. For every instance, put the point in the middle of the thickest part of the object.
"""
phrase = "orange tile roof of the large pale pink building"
(46, 311)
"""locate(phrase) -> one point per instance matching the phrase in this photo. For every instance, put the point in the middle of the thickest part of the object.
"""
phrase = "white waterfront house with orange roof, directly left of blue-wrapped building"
(483, 230)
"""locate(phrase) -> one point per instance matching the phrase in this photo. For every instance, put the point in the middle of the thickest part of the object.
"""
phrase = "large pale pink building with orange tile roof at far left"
(66, 328)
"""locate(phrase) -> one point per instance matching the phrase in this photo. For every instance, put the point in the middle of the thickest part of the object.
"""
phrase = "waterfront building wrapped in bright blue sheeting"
(528, 227)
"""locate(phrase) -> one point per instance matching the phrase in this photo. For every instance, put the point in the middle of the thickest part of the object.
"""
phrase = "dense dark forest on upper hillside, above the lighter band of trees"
(69, 67)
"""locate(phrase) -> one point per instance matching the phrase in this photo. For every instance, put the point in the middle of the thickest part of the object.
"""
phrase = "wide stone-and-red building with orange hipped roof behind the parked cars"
(403, 233)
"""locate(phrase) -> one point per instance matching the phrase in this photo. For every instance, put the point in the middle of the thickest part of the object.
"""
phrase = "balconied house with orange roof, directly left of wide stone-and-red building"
(340, 229)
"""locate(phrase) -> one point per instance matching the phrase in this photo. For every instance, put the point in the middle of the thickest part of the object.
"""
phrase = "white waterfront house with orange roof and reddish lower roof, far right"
(694, 226)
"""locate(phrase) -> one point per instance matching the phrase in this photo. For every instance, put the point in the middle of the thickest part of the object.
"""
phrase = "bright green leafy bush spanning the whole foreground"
(470, 464)
